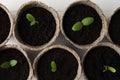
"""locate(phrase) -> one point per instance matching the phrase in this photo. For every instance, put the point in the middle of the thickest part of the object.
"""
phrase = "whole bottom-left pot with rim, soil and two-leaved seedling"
(14, 64)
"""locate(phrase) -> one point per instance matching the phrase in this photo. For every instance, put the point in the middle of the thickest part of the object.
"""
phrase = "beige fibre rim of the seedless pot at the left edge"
(12, 22)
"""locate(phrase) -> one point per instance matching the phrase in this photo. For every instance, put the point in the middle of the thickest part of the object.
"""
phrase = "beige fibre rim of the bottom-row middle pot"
(79, 71)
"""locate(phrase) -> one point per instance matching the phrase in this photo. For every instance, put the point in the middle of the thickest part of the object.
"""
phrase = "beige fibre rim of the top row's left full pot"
(56, 34)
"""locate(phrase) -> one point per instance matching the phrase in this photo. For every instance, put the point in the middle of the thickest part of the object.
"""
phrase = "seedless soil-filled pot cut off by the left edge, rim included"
(6, 24)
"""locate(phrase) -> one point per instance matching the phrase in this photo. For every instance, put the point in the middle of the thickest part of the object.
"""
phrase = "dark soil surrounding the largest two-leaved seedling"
(86, 35)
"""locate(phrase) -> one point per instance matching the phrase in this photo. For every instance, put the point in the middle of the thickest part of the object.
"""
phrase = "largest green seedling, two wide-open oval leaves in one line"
(85, 22)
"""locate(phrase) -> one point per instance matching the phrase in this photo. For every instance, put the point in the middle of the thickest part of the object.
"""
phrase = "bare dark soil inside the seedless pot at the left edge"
(4, 25)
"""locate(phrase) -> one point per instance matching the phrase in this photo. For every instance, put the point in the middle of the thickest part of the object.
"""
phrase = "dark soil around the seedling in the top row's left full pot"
(37, 34)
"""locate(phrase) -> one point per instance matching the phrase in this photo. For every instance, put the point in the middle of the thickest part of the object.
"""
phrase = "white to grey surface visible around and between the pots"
(107, 6)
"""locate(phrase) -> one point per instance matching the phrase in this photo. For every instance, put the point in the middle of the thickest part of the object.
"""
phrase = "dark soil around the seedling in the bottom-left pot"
(18, 72)
